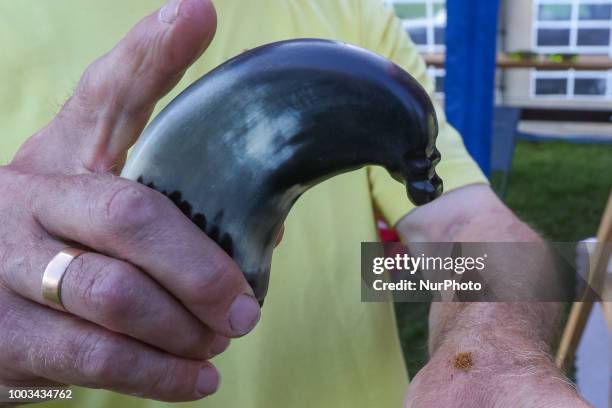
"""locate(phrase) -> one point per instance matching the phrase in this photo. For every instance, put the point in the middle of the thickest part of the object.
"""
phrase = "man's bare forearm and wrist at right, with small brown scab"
(508, 343)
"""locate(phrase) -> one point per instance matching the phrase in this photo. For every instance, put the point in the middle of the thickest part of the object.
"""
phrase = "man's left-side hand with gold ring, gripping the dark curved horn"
(153, 298)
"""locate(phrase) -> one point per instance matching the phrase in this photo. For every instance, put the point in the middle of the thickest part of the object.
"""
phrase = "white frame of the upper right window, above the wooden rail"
(573, 24)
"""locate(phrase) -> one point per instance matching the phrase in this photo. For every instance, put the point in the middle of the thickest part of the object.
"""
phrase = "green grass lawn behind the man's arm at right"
(560, 189)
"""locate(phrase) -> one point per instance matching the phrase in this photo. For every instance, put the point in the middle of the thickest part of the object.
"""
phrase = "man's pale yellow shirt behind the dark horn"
(317, 344)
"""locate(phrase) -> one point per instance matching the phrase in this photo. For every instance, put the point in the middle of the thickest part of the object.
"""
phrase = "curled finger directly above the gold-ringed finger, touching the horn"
(126, 220)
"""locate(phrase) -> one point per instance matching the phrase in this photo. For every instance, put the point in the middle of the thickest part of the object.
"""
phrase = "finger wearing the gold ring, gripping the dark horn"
(117, 296)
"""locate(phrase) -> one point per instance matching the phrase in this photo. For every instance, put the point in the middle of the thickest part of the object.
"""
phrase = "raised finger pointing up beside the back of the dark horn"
(117, 93)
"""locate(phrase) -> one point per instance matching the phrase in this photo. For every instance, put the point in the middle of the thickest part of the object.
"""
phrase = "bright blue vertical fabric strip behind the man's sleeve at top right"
(471, 39)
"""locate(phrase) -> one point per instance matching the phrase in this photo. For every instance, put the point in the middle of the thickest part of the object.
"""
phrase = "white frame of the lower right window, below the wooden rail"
(571, 75)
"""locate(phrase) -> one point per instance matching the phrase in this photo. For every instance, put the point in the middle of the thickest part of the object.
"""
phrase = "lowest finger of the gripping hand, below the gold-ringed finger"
(65, 349)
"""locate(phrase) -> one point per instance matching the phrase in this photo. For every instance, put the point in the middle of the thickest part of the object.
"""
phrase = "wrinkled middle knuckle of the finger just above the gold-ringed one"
(128, 207)
